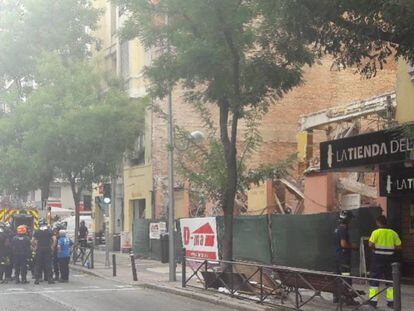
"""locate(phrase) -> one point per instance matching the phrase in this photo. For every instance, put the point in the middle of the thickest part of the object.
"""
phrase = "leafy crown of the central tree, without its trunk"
(204, 40)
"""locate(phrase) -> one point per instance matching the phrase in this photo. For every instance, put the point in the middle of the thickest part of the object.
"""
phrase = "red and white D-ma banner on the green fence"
(200, 237)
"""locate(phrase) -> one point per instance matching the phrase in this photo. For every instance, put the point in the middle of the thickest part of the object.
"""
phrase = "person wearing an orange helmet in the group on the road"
(21, 247)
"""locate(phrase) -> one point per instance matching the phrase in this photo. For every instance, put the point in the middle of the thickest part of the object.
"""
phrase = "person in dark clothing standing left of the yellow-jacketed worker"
(343, 249)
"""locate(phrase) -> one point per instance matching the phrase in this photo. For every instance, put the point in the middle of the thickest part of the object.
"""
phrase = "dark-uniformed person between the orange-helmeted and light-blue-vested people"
(44, 243)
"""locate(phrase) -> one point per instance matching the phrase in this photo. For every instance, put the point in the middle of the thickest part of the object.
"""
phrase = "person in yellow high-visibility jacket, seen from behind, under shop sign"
(385, 243)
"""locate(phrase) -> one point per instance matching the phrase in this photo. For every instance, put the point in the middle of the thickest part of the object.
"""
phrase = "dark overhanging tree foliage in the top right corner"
(361, 33)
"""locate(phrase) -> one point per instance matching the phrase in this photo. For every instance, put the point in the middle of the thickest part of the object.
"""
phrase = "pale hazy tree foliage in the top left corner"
(29, 28)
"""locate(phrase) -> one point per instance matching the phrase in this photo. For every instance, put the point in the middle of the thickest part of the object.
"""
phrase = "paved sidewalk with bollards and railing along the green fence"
(154, 275)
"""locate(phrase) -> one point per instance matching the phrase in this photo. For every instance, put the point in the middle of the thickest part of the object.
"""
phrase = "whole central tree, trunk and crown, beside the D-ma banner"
(222, 53)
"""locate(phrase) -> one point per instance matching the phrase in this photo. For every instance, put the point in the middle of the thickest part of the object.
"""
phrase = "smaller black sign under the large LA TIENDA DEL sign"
(397, 181)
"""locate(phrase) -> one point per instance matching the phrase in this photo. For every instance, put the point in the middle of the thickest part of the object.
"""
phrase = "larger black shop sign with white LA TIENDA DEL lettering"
(366, 149)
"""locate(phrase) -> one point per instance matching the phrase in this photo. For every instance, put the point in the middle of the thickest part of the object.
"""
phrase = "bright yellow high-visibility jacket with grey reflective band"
(385, 241)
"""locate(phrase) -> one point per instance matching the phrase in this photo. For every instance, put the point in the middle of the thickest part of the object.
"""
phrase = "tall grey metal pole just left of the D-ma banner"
(171, 208)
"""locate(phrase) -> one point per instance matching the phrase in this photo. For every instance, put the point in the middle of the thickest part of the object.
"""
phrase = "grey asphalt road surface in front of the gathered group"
(87, 293)
